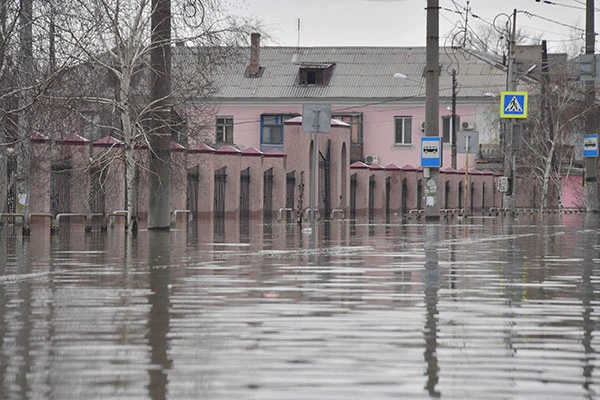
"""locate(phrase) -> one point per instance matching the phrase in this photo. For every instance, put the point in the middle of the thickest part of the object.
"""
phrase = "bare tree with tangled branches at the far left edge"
(25, 74)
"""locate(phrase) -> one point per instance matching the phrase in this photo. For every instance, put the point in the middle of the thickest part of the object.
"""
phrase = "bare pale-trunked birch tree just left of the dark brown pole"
(111, 41)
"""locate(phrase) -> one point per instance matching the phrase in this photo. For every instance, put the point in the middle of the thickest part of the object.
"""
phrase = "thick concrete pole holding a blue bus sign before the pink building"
(432, 105)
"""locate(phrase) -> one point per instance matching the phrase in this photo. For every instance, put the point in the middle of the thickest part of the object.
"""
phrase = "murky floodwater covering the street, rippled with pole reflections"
(483, 308)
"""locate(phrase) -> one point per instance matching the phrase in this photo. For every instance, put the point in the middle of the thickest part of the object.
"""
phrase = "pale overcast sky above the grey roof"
(402, 22)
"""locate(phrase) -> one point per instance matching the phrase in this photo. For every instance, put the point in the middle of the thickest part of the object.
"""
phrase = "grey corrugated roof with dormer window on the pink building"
(356, 73)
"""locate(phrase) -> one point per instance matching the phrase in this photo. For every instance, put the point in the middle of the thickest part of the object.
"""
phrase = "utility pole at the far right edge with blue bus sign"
(591, 163)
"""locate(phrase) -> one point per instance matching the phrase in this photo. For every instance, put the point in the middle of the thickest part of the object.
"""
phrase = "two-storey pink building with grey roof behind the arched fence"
(386, 114)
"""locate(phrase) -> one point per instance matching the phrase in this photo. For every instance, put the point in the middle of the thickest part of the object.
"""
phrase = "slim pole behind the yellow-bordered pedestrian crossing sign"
(510, 197)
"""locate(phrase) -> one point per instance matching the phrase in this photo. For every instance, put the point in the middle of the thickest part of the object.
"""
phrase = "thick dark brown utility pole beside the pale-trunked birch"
(159, 214)
